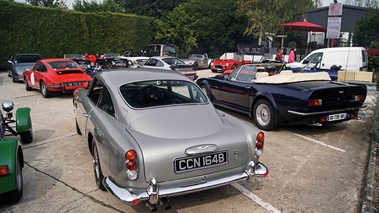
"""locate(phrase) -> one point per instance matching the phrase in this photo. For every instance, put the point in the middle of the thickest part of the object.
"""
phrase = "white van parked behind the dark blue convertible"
(349, 58)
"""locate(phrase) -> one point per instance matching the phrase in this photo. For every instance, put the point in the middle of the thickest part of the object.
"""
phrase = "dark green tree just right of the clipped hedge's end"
(198, 26)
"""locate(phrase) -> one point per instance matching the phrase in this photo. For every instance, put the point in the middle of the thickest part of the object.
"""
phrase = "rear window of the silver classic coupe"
(161, 93)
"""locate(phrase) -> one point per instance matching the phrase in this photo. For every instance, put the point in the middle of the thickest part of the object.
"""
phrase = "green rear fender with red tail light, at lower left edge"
(10, 154)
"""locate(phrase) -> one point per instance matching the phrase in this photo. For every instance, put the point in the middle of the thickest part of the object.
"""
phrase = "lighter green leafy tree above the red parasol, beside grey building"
(265, 16)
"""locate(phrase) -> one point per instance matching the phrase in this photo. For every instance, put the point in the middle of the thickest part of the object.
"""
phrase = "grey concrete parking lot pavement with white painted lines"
(312, 168)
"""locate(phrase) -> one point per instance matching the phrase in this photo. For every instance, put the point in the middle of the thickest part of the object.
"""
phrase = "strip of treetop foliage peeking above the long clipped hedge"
(93, 6)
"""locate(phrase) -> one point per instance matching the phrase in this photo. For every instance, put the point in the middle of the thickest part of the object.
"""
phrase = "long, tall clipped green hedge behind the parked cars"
(54, 32)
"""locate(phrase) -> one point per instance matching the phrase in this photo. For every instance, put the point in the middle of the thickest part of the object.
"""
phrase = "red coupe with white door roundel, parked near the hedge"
(56, 75)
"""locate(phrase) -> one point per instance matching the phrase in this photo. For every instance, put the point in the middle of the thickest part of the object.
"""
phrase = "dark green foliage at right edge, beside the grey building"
(367, 29)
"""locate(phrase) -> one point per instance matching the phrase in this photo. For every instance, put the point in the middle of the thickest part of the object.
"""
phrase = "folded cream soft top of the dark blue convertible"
(286, 76)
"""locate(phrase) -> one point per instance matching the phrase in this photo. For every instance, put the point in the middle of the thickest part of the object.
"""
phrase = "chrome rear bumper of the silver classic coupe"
(153, 192)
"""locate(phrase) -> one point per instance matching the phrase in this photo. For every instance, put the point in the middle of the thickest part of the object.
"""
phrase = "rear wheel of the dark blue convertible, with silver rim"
(263, 115)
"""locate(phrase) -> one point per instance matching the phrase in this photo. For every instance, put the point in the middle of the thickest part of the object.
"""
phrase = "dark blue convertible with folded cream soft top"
(284, 98)
